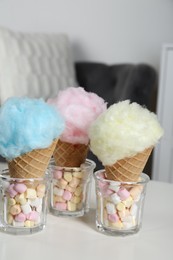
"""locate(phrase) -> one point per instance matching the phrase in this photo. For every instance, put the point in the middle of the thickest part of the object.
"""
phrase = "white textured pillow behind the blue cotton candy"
(34, 65)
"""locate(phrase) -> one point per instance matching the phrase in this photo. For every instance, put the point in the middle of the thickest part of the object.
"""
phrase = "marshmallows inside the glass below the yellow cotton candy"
(120, 204)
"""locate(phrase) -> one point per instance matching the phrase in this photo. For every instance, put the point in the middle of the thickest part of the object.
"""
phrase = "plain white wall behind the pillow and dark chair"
(109, 31)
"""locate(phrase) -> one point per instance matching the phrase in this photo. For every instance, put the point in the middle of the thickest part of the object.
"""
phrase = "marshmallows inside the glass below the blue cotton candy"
(24, 204)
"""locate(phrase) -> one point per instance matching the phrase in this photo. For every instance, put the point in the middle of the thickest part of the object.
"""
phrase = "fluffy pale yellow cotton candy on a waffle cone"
(122, 131)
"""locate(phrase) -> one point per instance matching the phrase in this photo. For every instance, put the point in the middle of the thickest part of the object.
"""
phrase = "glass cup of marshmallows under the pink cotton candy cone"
(70, 189)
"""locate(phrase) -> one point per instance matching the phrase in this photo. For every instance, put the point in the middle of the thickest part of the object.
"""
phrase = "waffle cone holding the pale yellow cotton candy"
(128, 169)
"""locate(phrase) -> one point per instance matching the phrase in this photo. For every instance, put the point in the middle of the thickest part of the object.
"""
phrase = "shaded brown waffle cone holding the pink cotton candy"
(70, 155)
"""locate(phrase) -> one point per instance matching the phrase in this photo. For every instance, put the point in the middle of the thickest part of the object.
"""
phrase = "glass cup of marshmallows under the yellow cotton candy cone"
(119, 204)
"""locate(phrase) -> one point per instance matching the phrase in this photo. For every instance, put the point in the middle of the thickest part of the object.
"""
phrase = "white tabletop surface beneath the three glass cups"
(77, 238)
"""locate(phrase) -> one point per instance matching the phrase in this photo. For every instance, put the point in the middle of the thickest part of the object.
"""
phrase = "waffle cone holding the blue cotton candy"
(32, 164)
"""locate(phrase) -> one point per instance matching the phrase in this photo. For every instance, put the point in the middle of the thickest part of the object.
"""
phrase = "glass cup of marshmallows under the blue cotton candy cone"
(23, 204)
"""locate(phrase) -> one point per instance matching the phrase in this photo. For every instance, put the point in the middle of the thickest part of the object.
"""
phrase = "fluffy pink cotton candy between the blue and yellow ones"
(79, 108)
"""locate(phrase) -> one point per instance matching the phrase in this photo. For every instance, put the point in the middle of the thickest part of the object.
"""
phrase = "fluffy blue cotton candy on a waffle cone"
(27, 124)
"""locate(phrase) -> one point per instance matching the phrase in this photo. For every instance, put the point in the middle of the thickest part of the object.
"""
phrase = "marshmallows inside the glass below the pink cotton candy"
(68, 189)
